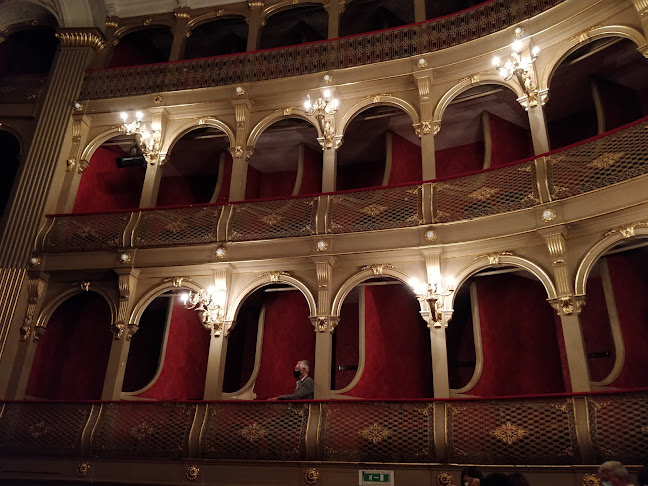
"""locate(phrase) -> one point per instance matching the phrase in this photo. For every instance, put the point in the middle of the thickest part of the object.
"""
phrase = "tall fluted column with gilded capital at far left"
(41, 173)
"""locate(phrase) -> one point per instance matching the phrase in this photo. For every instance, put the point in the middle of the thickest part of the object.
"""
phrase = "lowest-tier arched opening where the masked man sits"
(272, 332)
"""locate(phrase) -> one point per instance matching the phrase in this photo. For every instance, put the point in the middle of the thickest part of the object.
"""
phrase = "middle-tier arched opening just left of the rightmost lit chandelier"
(482, 127)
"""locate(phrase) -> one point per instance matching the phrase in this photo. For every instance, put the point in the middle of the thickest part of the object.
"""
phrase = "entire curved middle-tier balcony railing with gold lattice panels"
(604, 161)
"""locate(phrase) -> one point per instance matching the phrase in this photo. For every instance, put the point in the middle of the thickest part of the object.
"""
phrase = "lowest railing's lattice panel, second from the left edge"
(143, 430)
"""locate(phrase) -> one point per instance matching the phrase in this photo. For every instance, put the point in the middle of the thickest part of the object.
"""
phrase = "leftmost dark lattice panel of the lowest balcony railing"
(42, 429)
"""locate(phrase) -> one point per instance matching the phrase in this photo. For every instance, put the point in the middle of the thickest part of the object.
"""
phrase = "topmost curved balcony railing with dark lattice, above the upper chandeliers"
(360, 50)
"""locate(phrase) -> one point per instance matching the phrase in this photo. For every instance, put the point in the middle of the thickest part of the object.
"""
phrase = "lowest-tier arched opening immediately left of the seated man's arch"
(167, 359)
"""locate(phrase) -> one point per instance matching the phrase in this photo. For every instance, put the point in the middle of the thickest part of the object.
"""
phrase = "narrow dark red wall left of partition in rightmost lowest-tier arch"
(597, 333)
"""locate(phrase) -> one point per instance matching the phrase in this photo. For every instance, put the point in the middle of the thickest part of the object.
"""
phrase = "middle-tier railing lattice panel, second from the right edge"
(487, 193)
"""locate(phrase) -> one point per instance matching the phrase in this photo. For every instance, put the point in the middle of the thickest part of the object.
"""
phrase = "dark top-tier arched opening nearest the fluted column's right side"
(144, 46)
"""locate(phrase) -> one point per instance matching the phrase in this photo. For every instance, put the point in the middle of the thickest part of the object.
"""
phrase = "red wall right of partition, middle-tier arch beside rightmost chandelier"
(509, 142)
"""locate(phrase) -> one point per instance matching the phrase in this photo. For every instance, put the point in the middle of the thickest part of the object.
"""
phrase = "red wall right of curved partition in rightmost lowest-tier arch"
(628, 276)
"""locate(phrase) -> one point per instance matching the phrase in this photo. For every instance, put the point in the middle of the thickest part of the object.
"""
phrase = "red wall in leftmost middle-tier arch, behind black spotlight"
(104, 187)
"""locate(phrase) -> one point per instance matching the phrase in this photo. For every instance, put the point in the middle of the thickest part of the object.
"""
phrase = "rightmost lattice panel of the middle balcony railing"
(605, 161)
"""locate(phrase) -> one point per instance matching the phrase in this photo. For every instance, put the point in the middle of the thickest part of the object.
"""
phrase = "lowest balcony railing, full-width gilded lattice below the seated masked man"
(543, 430)
